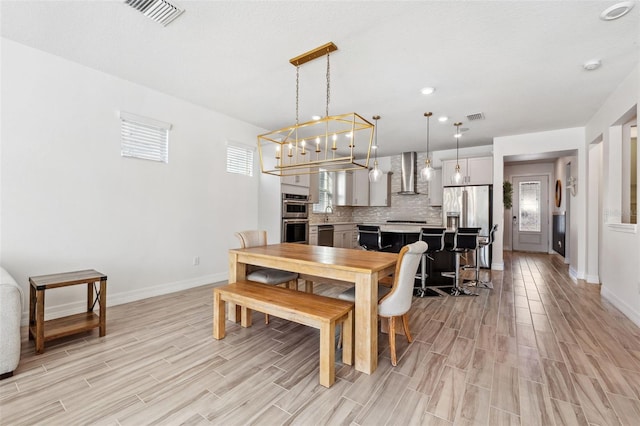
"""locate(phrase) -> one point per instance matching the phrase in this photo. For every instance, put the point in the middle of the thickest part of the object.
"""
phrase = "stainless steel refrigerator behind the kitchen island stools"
(472, 205)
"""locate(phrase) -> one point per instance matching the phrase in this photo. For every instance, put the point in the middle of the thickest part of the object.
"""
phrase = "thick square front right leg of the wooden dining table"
(366, 313)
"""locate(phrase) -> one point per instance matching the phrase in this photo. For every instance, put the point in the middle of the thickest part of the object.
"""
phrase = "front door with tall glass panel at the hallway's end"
(531, 213)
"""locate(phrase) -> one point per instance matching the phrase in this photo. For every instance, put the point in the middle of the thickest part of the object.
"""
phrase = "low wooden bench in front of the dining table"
(308, 309)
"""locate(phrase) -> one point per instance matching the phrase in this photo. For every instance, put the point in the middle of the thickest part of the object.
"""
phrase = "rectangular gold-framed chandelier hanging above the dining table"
(331, 143)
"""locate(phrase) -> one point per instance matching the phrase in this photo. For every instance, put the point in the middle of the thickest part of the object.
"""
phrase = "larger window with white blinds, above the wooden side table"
(144, 138)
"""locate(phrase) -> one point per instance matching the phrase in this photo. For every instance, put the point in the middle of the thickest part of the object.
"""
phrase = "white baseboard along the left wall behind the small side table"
(114, 299)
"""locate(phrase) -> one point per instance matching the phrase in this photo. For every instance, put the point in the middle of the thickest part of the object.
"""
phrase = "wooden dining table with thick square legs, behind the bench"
(363, 268)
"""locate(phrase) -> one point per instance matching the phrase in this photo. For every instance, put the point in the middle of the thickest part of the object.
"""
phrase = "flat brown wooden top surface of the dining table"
(355, 260)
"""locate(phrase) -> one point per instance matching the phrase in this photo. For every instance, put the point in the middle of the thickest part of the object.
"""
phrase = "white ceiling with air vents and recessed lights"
(518, 62)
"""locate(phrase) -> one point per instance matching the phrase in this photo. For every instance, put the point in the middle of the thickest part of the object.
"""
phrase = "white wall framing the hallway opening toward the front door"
(544, 142)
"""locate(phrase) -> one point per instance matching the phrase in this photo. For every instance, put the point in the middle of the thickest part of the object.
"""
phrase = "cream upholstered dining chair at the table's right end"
(395, 302)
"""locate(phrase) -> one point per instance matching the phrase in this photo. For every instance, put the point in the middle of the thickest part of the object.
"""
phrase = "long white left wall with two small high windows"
(70, 201)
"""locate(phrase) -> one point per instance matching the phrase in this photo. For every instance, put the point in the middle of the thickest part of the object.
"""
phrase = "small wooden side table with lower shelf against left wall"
(42, 330)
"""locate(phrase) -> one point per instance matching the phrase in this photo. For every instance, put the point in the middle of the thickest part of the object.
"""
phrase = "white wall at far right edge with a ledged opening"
(620, 243)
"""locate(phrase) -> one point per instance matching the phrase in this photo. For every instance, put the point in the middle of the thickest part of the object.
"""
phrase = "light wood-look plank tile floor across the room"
(537, 349)
